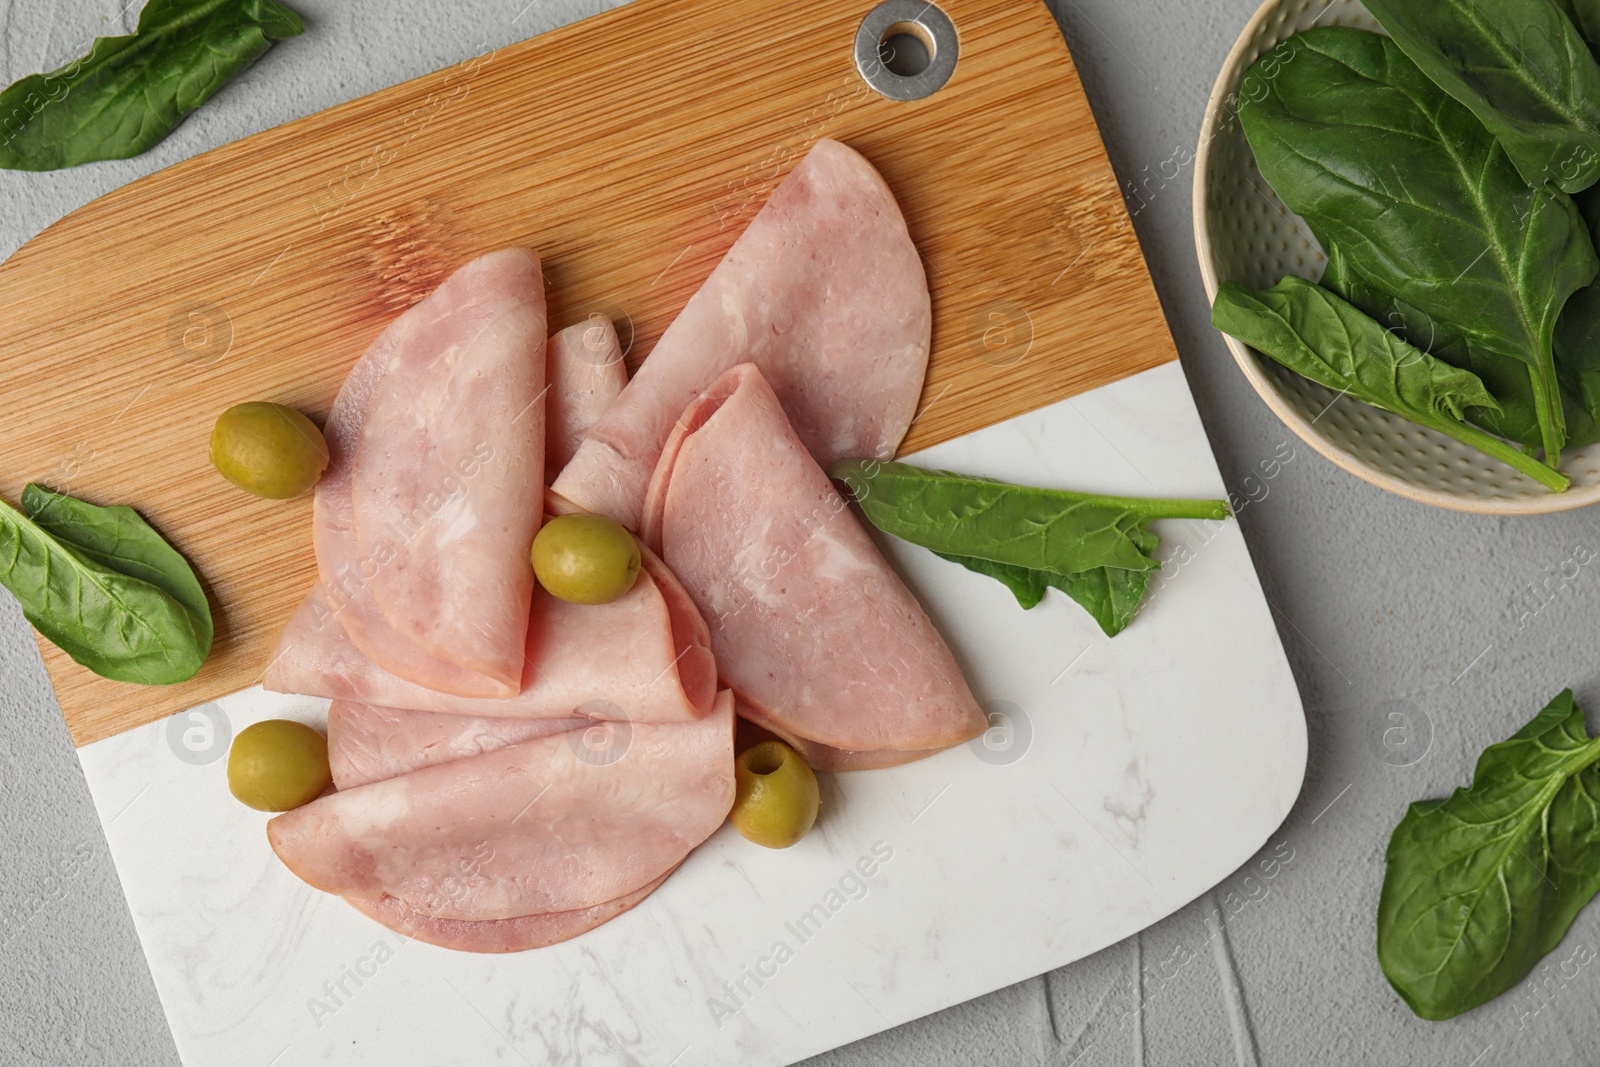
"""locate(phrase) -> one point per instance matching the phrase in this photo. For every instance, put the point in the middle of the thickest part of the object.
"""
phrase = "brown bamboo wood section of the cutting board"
(630, 151)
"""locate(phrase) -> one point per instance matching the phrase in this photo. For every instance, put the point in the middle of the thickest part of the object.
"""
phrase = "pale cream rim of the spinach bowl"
(1545, 505)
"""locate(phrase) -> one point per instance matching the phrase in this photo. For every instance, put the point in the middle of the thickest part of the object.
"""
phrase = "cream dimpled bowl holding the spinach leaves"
(1246, 234)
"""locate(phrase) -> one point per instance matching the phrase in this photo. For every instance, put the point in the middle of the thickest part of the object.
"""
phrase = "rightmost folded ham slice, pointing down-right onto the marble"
(809, 623)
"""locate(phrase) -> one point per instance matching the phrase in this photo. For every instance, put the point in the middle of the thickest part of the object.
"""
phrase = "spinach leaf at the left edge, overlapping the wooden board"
(118, 626)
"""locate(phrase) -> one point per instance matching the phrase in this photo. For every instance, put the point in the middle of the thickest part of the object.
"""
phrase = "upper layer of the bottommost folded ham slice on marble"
(553, 825)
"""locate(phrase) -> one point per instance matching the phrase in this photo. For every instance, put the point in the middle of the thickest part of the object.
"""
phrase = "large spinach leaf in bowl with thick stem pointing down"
(1420, 198)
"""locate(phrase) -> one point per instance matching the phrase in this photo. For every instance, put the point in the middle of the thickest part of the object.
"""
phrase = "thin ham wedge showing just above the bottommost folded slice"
(370, 745)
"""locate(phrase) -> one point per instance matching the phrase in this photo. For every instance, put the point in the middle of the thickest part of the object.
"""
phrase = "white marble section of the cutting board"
(1122, 780)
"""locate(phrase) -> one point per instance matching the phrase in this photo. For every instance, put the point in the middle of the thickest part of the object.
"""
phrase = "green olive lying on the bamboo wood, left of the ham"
(268, 450)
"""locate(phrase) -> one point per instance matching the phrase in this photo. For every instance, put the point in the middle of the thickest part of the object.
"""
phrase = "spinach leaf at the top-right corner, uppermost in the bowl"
(1522, 68)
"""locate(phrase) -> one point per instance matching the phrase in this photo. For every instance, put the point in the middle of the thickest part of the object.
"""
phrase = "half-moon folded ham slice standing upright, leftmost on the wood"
(425, 518)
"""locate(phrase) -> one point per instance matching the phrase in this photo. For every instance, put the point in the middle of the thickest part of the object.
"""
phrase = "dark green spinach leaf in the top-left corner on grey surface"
(130, 92)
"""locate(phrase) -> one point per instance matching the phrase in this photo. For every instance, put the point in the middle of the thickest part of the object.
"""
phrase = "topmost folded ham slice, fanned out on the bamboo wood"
(825, 292)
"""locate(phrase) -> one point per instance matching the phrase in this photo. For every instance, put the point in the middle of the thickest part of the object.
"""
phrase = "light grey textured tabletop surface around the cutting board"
(1466, 623)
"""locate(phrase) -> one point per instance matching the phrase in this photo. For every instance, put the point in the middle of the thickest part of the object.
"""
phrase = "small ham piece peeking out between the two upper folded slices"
(585, 370)
